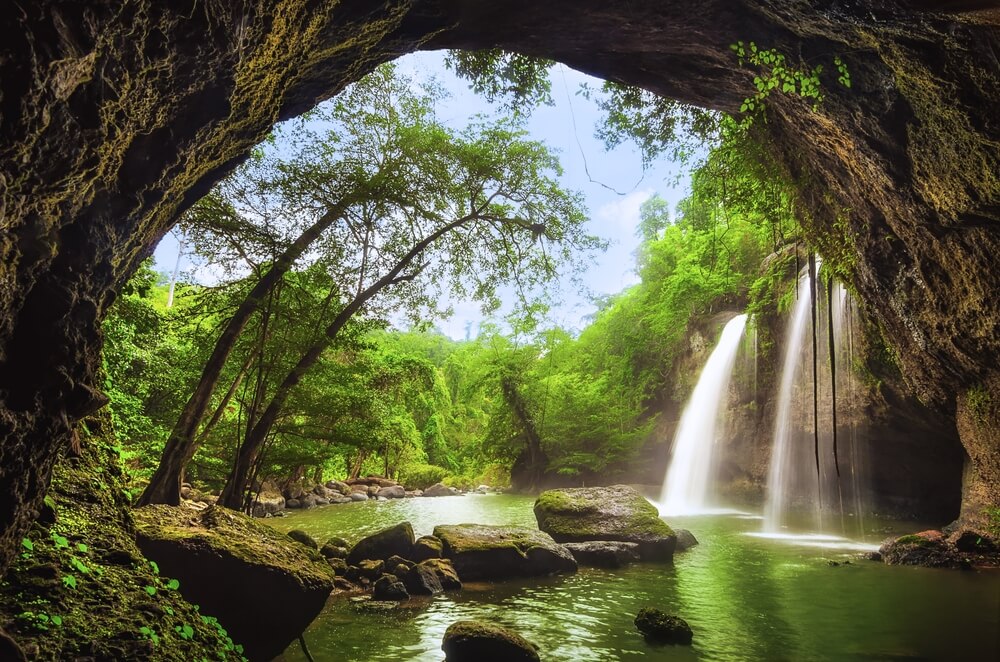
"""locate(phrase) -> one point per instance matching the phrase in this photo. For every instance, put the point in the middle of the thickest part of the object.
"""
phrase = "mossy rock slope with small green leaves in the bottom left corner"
(81, 588)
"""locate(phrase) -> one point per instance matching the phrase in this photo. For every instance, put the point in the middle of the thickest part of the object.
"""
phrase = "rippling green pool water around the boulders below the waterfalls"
(745, 597)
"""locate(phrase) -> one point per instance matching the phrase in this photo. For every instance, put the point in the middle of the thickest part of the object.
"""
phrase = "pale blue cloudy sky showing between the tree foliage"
(613, 183)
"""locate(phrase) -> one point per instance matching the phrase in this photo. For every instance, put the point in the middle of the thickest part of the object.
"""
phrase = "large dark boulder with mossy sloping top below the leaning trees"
(229, 563)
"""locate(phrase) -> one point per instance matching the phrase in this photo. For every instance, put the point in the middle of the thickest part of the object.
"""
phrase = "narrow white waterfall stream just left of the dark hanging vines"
(779, 473)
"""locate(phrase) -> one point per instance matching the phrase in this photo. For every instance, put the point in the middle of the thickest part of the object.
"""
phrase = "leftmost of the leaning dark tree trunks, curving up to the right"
(165, 485)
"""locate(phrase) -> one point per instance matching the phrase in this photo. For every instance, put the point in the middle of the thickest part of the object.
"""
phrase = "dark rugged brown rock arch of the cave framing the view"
(114, 118)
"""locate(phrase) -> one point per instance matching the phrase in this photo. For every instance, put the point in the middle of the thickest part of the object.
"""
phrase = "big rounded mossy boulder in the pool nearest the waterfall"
(605, 513)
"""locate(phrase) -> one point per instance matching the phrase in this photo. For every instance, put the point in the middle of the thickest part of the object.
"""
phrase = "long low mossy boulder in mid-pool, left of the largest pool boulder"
(481, 552)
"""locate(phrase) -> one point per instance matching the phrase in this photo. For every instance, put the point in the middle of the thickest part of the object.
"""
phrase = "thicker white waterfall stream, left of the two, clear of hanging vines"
(685, 486)
